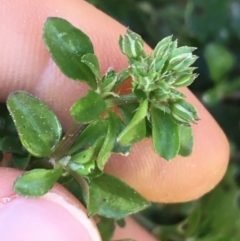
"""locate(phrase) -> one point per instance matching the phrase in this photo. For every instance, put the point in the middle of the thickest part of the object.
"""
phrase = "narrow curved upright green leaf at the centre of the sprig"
(109, 142)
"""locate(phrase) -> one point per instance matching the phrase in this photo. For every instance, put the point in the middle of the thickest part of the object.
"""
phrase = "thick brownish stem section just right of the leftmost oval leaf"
(67, 141)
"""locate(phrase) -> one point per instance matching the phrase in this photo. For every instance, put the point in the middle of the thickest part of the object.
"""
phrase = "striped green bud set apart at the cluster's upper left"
(131, 44)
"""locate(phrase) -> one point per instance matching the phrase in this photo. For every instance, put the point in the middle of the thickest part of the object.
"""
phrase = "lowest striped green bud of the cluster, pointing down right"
(184, 110)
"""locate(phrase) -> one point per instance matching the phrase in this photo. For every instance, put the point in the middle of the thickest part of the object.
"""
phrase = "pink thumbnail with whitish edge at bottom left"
(50, 217)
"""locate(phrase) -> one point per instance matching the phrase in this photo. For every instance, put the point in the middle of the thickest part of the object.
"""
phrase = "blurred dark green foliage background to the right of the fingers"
(213, 26)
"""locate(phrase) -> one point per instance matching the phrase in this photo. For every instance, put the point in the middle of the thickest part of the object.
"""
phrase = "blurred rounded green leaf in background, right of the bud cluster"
(218, 66)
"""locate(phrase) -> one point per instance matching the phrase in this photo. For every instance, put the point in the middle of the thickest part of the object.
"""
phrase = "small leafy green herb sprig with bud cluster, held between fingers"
(153, 109)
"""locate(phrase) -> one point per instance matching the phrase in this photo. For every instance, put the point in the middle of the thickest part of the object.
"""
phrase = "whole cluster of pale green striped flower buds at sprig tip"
(159, 74)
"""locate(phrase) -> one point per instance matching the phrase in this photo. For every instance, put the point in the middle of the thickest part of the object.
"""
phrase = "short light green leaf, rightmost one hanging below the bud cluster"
(186, 140)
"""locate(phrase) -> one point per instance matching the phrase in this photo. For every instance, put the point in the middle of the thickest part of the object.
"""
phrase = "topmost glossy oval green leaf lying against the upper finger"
(67, 45)
